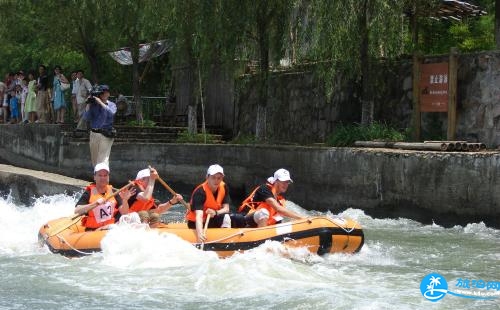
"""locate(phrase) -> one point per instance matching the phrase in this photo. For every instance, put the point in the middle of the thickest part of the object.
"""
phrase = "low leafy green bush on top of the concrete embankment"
(346, 135)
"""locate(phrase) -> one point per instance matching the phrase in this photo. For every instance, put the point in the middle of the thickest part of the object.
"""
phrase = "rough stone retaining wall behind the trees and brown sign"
(298, 110)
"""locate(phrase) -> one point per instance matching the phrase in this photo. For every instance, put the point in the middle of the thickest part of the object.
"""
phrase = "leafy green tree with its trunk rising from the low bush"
(352, 35)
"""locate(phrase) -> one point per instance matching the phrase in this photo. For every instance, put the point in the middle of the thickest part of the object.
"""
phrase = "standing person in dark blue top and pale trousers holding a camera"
(100, 112)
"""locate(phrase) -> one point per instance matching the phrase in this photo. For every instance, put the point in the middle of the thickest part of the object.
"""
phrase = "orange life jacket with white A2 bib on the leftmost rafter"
(102, 214)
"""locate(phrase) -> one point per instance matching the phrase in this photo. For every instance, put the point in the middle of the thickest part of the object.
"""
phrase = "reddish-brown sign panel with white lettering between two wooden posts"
(434, 87)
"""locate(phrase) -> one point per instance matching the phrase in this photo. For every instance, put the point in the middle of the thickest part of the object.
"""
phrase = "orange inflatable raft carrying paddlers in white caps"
(320, 235)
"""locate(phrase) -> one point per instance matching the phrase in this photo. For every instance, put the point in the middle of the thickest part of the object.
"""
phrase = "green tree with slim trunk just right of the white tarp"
(207, 34)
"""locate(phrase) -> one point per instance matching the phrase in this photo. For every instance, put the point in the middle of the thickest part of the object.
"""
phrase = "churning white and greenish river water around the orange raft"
(144, 270)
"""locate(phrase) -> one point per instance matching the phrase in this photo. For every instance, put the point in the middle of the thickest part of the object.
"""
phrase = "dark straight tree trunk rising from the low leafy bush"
(367, 105)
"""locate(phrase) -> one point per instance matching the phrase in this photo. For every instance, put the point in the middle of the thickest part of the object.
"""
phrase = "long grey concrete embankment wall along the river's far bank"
(448, 188)
